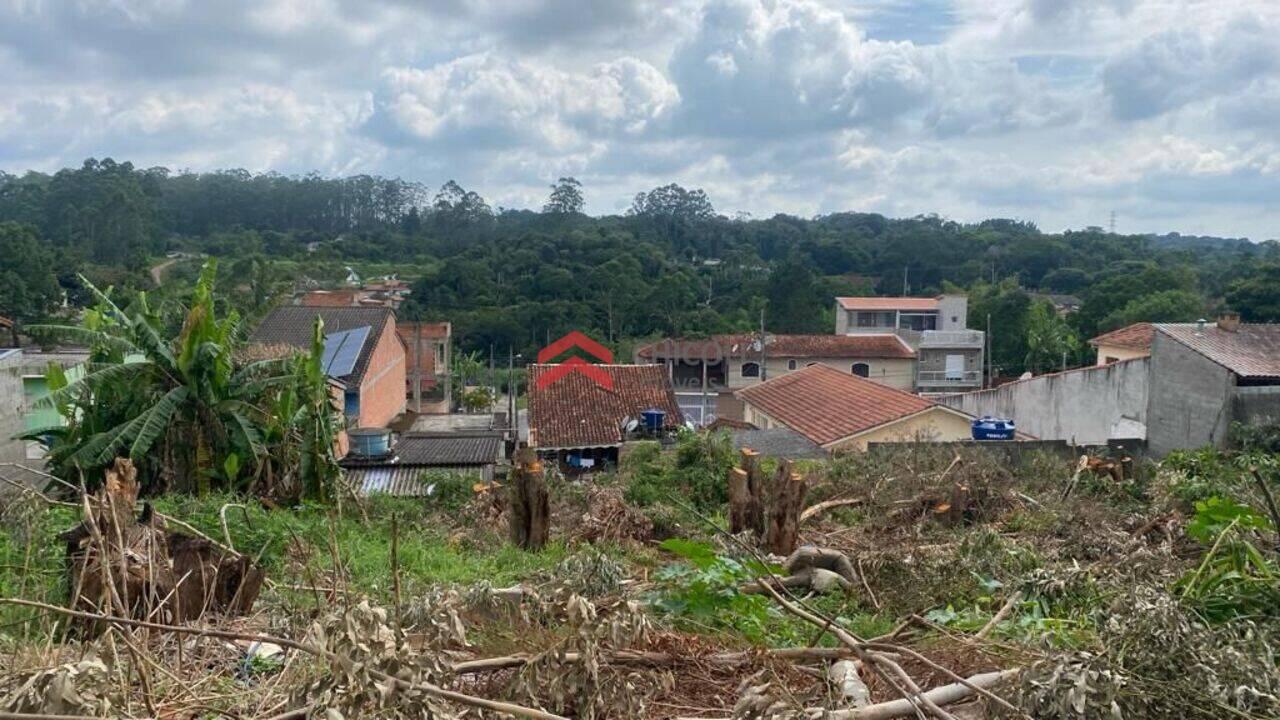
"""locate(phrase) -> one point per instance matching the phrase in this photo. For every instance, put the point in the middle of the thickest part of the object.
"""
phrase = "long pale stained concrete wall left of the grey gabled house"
(1082, 407)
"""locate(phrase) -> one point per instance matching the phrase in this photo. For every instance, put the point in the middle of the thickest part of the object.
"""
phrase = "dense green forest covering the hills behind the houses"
(670, 266)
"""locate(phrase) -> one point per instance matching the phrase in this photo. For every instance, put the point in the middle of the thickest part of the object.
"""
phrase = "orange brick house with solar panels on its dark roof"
(364, 353)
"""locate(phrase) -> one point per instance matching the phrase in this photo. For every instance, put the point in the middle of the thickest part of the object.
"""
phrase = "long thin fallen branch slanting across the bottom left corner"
(452, 696)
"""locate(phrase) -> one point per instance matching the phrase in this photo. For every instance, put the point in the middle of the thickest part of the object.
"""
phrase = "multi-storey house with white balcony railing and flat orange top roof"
(949, 356)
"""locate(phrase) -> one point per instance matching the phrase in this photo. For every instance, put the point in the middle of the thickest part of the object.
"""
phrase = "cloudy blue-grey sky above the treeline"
(1058, 112)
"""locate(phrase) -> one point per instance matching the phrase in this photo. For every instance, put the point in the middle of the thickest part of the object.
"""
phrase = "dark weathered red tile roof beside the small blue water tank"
(575, 412)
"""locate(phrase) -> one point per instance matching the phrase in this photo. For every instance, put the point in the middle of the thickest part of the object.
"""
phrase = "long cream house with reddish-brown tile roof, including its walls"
(732, 362)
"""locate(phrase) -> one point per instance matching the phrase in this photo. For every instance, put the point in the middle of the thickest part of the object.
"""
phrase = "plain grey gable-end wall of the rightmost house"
(1191, 398)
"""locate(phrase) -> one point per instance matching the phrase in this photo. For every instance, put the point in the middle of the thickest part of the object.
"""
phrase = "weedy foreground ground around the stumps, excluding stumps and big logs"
(1114, 593)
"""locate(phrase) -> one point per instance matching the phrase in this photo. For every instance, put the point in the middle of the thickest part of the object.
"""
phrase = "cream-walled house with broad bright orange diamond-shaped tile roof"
(842, 412)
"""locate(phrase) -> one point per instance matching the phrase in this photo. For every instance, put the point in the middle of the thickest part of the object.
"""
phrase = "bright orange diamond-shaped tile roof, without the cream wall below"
(826, 405)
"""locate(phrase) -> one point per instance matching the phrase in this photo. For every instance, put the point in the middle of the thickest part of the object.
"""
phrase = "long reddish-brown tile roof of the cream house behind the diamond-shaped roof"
(783, 347)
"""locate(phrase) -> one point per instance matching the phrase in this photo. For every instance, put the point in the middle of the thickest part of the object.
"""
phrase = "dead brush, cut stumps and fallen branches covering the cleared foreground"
(917, 586)
